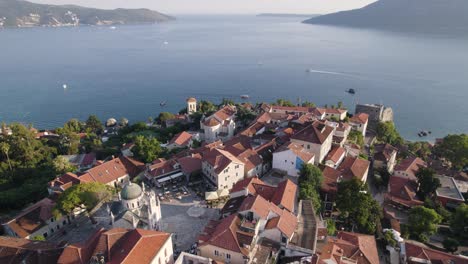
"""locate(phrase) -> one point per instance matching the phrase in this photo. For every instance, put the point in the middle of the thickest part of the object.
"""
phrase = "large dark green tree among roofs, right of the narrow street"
(357, 207)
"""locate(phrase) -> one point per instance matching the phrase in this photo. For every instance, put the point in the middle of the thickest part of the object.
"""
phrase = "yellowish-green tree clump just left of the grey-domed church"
(85, 196)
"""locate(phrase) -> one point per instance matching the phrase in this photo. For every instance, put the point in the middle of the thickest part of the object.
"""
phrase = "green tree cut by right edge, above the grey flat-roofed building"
(455, 149)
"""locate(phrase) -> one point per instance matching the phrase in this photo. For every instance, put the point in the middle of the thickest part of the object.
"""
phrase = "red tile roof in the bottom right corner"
(435, 256)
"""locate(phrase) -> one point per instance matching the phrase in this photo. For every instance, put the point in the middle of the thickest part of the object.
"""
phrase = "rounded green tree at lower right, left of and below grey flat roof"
(423, 222)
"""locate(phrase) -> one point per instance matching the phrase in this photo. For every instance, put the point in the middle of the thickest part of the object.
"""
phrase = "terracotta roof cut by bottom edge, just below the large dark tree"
(357, 247)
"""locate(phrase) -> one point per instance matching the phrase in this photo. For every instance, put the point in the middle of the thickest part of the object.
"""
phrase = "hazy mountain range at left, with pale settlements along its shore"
(18, 13)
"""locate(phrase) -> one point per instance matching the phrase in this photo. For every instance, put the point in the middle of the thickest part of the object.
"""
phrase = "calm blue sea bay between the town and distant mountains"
(129, 70)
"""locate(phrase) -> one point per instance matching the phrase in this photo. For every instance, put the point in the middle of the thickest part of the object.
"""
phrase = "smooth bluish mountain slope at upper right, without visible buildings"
(425, 16)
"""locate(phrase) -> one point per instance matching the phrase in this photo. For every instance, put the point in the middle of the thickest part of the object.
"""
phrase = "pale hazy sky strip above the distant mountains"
(224, 6)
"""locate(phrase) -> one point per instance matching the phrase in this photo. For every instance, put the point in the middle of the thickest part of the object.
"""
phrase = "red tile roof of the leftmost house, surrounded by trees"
(32, 218)
